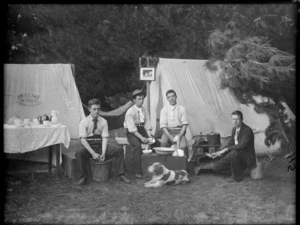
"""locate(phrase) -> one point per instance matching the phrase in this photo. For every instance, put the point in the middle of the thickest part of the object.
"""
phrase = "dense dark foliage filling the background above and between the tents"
(104, 42)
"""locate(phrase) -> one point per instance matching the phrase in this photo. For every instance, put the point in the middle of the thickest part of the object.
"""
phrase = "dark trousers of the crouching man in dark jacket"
(234, 163)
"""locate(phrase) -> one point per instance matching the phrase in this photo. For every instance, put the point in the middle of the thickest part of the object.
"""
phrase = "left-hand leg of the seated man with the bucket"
(82, 161)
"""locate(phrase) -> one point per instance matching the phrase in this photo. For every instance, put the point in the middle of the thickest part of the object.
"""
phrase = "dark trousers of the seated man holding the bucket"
(112, 151)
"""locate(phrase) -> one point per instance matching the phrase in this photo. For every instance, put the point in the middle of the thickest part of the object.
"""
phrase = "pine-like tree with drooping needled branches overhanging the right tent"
(259, 74)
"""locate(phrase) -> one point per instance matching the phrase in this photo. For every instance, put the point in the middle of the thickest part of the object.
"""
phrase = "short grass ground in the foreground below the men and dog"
(208, 198)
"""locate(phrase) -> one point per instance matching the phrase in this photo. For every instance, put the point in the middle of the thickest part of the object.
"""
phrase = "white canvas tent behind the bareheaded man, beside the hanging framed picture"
(208, 107)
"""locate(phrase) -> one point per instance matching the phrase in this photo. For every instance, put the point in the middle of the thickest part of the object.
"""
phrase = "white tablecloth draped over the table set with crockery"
(30, 138)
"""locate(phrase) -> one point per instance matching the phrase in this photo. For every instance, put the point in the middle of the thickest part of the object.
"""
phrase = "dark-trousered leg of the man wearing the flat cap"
(137, 152)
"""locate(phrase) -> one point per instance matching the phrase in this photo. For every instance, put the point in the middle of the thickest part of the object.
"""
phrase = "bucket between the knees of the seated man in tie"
(100, 170)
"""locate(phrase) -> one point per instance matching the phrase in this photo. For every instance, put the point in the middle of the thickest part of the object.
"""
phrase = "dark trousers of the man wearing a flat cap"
(137, 148)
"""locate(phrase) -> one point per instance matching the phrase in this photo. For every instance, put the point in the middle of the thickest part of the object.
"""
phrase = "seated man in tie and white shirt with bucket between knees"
(93, 133)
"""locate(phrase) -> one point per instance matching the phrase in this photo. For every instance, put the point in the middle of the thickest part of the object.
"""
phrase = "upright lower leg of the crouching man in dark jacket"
(238, 164)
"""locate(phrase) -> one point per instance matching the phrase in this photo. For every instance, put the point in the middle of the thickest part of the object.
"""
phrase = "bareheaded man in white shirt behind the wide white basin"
(173, 122)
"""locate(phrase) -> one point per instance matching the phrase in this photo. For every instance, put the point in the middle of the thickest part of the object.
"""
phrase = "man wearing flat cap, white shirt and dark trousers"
(138, 127)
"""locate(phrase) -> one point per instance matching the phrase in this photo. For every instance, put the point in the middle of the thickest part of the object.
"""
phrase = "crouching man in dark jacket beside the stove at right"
(239, 153)
